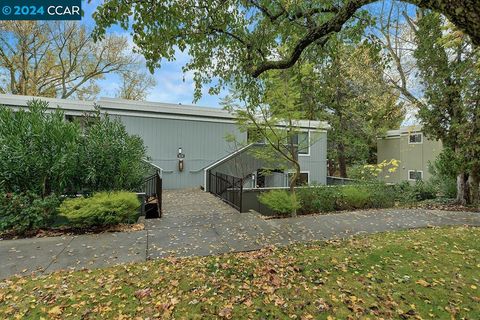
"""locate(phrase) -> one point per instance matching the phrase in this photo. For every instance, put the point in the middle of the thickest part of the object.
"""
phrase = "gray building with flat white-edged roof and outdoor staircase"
(188, 142)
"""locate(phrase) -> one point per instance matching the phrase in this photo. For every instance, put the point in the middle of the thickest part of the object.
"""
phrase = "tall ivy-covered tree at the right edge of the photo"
(449, 68)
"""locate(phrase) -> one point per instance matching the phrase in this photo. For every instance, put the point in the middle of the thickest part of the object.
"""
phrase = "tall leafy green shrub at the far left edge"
(38, 150)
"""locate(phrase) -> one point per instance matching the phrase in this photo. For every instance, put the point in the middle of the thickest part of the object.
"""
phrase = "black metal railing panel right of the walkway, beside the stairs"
(228, 188)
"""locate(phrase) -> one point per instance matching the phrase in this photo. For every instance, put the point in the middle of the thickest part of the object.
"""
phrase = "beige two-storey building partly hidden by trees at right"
(409, 146)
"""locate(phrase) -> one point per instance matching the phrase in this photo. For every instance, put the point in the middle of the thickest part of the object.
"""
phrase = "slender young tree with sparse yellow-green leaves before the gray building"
(275, 120)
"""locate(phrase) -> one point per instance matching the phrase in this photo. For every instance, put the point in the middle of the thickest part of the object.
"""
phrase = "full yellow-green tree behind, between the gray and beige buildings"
(354, 98)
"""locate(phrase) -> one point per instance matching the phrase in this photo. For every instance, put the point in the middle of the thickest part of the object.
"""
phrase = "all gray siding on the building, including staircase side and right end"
(204, 143)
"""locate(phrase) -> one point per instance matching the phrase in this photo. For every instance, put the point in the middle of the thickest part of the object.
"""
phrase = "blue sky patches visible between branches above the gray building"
(173, 86)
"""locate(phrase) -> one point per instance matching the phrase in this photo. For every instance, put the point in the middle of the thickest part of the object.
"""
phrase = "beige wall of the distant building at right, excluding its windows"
(411, 156)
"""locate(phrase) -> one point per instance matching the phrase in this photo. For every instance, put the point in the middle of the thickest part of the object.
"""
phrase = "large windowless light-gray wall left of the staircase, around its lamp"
(202, 143)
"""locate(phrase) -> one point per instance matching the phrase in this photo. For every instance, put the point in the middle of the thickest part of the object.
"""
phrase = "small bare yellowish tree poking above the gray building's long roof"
(135, 85)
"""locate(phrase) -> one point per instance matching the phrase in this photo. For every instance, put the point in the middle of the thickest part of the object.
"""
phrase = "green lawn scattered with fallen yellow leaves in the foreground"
(416, 274)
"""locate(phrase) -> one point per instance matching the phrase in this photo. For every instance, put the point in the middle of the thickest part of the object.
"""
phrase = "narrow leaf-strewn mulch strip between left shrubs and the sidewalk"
(63, 231)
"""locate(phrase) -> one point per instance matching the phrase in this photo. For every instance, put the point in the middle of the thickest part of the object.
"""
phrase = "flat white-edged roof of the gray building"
(124, 107)
